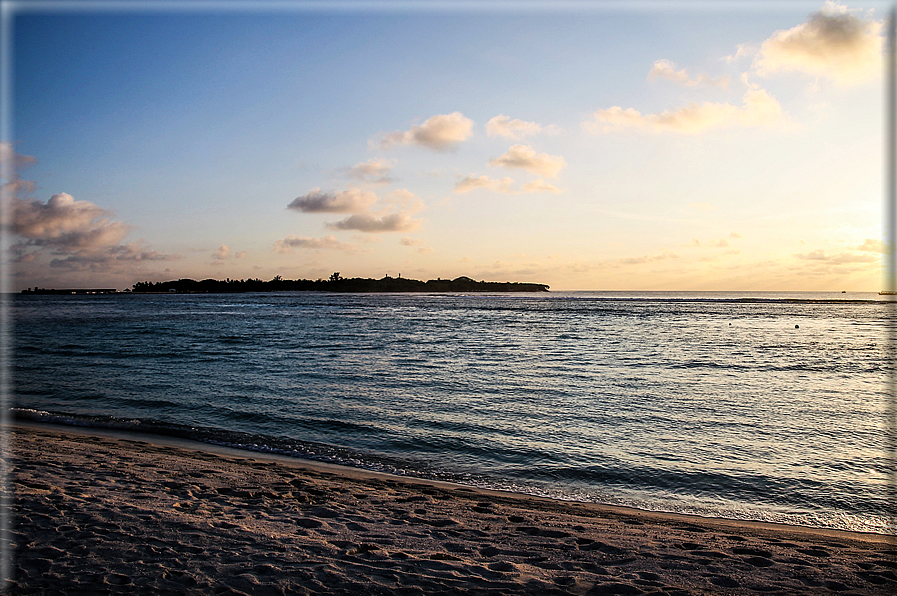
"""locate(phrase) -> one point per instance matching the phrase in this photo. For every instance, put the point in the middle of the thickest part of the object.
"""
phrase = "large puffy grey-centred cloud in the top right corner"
(832, 43)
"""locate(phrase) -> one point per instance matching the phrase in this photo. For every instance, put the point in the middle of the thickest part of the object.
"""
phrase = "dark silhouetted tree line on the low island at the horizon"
(335, 283)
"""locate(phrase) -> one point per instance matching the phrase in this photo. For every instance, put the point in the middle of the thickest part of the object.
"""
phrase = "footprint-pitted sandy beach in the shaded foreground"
(101, 512)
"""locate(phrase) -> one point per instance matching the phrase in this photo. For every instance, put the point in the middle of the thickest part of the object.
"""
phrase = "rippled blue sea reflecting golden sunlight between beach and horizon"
(750, 406)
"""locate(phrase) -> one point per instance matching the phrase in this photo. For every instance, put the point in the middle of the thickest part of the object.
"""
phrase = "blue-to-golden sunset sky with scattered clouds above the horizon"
(590, 146)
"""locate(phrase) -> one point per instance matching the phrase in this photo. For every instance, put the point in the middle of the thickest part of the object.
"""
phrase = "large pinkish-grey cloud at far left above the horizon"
(66, 224)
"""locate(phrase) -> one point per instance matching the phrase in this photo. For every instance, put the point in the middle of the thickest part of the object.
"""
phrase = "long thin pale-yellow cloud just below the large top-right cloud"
(759, 109)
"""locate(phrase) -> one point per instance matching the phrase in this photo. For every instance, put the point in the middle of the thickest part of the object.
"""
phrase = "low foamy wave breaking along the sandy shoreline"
(673, 491)
